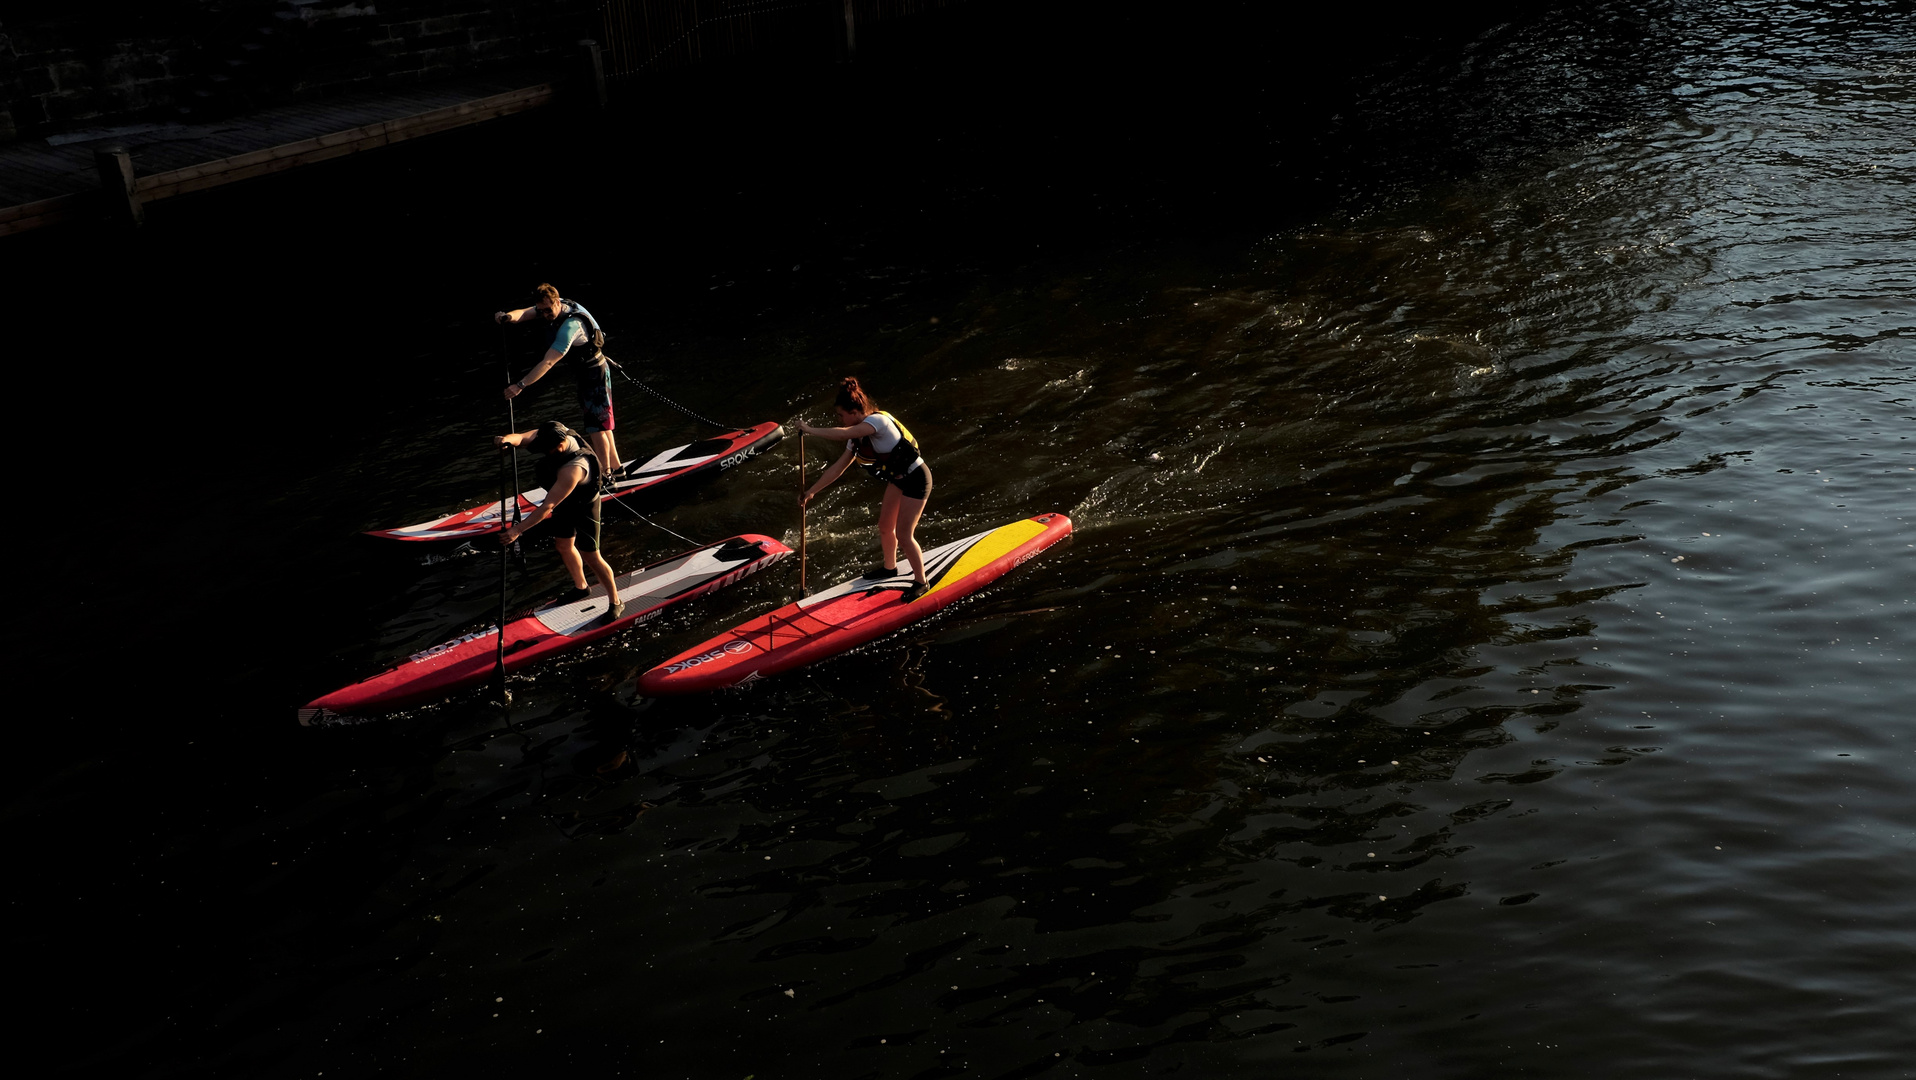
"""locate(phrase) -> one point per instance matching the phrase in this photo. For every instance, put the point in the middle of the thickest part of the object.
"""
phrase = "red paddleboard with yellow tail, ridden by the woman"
(854, 614)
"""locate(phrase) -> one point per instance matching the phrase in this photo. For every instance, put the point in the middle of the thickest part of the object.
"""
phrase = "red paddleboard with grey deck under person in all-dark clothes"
(472, 660)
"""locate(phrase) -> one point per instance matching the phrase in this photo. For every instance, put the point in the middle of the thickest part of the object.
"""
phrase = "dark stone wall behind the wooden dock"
(120, 62)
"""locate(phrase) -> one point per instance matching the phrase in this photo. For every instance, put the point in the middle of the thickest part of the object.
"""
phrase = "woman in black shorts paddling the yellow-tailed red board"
(880, 445)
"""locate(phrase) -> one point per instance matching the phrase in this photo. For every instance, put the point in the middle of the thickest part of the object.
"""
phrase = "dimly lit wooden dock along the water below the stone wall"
(116, 173)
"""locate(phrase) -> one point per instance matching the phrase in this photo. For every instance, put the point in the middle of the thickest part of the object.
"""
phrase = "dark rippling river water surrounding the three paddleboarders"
(1484, 648)
